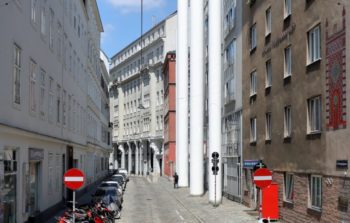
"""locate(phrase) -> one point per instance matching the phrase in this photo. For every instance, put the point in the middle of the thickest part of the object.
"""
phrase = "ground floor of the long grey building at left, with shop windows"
(31, 172)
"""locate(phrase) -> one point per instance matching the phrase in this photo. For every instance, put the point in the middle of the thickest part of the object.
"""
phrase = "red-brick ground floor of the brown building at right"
(305, 197)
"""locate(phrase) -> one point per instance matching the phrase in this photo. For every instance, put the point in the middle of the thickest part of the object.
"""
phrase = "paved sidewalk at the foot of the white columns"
(228, 212)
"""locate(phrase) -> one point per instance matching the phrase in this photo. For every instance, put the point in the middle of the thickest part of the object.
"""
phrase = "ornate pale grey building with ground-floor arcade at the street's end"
(138, 99)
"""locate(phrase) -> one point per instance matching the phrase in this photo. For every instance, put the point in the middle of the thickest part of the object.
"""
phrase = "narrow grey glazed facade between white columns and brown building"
(232, 99)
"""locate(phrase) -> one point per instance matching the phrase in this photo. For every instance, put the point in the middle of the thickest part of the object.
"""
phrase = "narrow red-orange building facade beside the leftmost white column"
(169, 154)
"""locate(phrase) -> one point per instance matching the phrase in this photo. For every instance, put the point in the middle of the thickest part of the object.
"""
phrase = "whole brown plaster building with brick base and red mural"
(295, 105)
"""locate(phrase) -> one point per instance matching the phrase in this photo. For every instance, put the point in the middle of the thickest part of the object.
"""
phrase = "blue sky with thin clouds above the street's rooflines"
(122, 20)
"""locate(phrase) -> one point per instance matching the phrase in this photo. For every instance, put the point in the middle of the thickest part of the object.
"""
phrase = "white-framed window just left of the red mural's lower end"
(314, 114)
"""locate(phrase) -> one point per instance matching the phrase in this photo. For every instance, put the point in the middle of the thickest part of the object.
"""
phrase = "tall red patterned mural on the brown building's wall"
(336, 77)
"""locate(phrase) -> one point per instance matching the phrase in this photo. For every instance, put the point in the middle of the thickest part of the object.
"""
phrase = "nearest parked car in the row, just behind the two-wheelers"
(107, 195)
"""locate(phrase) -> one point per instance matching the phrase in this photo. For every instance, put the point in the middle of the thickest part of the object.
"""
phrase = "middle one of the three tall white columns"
(196, 100)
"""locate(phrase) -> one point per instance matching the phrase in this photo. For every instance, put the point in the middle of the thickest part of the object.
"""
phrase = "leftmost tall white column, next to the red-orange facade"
(182, 94)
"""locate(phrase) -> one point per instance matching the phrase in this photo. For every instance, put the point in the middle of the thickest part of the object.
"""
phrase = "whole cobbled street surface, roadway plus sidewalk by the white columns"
(153, 200)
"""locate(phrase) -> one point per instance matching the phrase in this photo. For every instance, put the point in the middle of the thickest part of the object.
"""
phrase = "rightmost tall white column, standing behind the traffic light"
(215, 190)
